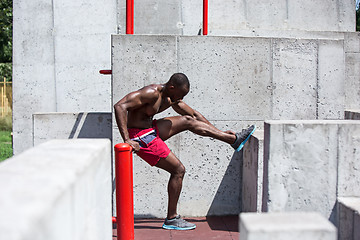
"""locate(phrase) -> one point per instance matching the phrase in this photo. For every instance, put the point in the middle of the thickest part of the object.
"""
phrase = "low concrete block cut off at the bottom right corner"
(349, 218)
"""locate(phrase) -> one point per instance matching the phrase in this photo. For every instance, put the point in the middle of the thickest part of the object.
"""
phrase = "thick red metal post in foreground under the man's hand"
(124, 191)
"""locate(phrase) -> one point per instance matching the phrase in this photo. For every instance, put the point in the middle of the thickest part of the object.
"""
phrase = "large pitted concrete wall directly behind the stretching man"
(234, 82)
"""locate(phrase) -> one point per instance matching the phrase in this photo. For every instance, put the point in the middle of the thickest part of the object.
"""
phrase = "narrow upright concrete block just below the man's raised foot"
(252, 173)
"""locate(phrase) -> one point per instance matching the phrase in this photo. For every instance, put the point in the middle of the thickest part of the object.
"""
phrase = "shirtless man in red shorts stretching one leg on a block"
(134, 116)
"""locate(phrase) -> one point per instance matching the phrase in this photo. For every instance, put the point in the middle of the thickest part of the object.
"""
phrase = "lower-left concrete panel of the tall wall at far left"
(31, 95)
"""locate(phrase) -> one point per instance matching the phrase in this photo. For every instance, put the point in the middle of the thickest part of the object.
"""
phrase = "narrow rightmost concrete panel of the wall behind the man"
(331, 72)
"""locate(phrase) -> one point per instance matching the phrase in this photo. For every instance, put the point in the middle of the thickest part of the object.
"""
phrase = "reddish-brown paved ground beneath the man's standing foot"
(222, 228)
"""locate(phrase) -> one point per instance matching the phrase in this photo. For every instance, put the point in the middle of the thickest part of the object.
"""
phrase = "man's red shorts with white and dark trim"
(152, 147)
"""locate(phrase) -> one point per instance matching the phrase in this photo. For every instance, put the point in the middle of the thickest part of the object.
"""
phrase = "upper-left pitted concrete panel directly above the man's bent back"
(138, 61)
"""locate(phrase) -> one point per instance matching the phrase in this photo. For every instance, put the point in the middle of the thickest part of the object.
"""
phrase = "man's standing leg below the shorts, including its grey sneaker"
(173, 165)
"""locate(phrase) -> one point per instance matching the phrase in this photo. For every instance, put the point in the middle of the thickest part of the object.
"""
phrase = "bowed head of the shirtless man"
(178, 86)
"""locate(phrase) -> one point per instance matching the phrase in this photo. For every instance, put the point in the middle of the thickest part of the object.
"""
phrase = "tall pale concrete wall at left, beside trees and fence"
(59, 47)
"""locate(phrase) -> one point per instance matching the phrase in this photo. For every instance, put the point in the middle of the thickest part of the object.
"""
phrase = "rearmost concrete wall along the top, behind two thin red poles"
(239, 17)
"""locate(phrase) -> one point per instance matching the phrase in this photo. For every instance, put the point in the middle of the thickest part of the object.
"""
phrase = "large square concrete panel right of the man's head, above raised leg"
(235, 71)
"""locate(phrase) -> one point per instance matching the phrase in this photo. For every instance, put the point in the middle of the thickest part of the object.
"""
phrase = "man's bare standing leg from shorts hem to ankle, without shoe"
(173, 165)
